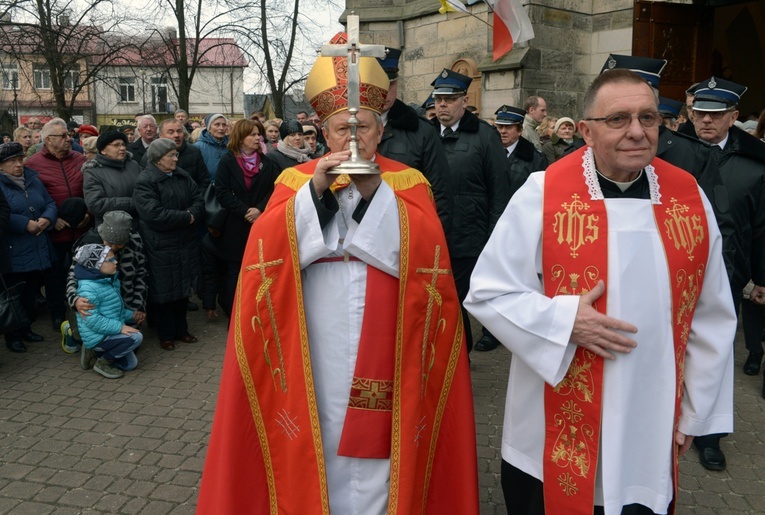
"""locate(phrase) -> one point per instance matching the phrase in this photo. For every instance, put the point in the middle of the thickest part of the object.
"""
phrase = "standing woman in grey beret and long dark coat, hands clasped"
(170, 207)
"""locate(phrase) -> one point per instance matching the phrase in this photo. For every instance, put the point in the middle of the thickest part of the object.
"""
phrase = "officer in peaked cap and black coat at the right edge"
(741, 160)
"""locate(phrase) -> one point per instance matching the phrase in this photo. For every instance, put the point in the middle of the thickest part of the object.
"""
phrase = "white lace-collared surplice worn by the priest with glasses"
(507, 297)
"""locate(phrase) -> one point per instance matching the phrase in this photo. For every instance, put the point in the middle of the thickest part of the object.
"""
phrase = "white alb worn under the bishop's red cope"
(334, 298)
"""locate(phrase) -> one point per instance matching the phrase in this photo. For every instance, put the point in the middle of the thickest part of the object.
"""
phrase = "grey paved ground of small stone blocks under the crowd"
(74, 442)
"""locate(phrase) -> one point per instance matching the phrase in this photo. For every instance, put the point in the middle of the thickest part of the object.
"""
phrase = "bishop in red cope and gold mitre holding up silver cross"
(346, 384)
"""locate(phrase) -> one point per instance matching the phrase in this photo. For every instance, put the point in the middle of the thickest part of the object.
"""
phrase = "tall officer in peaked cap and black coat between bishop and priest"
(478, 179)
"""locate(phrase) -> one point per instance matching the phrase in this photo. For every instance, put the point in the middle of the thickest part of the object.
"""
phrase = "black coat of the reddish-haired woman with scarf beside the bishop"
(234, 197)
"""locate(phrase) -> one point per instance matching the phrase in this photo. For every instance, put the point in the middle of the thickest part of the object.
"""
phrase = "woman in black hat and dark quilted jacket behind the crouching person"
(109, 179)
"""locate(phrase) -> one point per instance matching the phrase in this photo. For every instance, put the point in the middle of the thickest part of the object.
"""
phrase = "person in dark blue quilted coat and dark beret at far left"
(26, 247)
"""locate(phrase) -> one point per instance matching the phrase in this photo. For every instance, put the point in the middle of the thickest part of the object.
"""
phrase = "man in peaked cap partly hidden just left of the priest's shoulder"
(523, 159)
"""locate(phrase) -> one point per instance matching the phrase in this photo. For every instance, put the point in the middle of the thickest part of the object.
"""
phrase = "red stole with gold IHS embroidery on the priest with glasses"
(574, 259)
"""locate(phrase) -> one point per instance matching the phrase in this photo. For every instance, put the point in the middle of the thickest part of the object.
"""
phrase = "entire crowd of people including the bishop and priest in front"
(610, 251)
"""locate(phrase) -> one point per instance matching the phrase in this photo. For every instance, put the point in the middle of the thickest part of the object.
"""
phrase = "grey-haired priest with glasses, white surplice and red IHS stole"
(605, 279)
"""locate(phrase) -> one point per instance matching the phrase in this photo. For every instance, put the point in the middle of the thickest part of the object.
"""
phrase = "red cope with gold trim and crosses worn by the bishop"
(265, 453)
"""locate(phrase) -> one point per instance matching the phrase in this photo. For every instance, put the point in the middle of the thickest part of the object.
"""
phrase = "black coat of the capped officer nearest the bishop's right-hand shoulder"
(479, 184)
